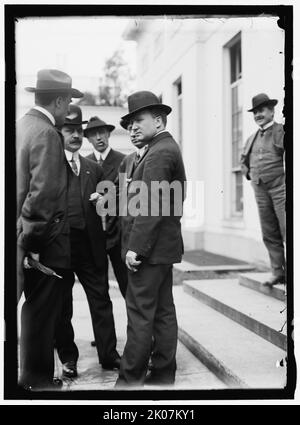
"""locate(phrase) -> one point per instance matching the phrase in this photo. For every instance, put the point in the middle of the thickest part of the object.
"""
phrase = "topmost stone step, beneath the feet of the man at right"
(255, 280)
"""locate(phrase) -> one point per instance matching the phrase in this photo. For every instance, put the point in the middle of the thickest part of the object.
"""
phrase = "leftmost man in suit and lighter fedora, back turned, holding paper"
(42, 227)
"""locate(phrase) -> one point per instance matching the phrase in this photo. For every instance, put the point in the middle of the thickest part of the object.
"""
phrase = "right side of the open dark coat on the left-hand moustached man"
(90, 175)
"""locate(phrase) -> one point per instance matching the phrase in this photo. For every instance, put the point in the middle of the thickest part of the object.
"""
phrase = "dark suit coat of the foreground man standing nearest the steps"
(157, 238)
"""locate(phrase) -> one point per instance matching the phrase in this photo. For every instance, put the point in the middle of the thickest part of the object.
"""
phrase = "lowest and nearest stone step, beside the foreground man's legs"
(237, 356)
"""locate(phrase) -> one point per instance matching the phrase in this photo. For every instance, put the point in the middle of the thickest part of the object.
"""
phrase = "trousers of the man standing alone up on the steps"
(270, 198)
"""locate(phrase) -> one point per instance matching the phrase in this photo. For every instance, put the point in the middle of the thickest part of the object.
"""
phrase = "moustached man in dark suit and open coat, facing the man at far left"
(88, 256)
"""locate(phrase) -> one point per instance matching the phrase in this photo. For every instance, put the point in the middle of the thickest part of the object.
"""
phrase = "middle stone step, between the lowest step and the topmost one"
(256, 312)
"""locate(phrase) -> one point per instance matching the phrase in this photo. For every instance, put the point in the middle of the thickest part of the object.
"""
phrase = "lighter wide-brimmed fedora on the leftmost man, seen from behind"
(54, 81)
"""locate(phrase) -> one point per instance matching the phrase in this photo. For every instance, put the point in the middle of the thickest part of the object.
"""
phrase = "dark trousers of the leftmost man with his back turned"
(39, 315)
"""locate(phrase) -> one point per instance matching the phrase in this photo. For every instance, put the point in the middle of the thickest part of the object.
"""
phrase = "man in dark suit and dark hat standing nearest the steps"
(151, 243)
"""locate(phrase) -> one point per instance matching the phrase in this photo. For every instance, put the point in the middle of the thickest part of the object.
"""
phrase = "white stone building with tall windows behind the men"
(208, 70)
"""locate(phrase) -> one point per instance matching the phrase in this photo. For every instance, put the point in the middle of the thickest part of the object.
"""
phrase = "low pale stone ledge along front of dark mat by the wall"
(186, 270)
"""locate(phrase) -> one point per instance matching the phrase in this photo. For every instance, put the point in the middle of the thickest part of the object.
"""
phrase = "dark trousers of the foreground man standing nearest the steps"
(151, 317)
